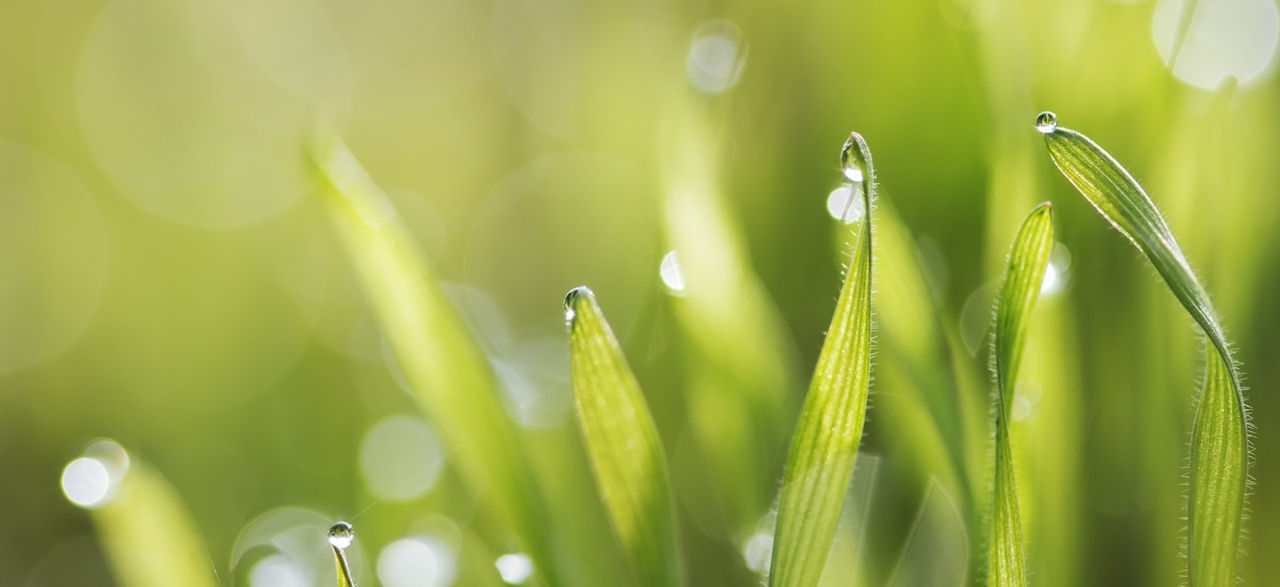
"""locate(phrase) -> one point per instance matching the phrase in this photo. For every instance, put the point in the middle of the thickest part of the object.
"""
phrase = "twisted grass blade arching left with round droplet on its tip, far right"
(1219, 460)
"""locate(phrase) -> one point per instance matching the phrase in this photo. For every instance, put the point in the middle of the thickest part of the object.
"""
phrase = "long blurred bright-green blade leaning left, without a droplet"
(444, 365)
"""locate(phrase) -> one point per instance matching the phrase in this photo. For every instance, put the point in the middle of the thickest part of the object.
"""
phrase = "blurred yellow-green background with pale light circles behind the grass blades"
(170, 279)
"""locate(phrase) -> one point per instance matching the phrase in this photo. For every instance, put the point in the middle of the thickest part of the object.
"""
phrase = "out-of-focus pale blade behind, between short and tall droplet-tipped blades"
(739, 398)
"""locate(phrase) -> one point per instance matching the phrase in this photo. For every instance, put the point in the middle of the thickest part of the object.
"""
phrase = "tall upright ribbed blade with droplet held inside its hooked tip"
(825, 446)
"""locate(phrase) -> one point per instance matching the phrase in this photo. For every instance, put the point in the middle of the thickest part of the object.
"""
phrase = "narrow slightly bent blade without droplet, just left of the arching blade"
(1007, 554)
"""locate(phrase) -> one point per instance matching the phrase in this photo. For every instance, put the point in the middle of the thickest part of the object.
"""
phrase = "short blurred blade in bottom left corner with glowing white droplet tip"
(145, 529)
